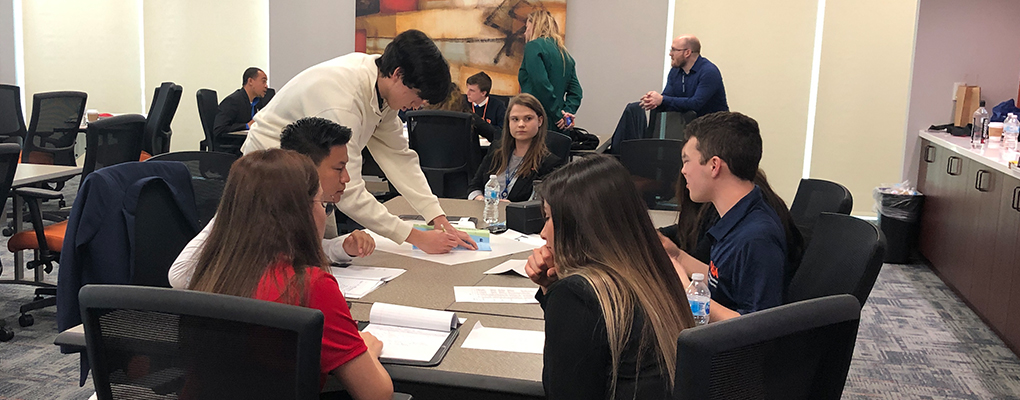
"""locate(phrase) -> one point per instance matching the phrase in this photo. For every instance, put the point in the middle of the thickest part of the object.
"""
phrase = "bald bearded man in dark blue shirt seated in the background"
(694, 85)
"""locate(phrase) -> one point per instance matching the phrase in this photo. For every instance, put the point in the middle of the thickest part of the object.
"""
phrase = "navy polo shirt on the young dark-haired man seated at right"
(749, 257)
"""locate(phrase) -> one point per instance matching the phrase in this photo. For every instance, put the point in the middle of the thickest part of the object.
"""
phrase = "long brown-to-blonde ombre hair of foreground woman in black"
(603, 233)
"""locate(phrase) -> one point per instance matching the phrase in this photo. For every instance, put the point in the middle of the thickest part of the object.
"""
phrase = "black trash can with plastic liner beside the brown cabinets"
(900, 220)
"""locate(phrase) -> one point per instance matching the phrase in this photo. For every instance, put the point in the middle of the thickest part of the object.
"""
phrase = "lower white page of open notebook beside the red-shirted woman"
(407, 343)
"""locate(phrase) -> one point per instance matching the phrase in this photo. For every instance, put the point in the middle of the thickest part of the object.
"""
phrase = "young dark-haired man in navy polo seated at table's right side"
(749, 244)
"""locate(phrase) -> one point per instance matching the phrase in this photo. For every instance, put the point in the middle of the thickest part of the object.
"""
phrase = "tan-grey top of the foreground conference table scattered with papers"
(464, 373)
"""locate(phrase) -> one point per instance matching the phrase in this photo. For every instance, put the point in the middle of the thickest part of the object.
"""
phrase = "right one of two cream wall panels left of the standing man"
(202, 45)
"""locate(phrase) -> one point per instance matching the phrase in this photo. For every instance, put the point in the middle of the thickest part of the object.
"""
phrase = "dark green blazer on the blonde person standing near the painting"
(550, 77)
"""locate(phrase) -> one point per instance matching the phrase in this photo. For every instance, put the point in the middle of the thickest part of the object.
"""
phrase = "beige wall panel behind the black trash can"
(863, 95)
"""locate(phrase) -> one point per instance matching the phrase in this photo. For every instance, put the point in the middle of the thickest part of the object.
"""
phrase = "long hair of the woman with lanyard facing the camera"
(536, 153)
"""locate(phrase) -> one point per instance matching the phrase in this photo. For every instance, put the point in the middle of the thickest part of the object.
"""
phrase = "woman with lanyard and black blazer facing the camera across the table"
(521, 158)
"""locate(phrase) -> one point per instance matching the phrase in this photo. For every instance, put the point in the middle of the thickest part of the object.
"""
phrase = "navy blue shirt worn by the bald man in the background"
(700, 91)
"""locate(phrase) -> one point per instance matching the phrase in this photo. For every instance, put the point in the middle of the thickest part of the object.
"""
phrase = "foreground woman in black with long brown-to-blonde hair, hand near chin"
(615, 306)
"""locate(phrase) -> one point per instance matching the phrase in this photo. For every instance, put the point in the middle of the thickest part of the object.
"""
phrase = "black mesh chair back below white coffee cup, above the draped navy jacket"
(113, 141)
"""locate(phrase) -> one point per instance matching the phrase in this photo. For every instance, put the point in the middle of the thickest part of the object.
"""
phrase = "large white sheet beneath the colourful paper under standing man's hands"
(502, 245)
